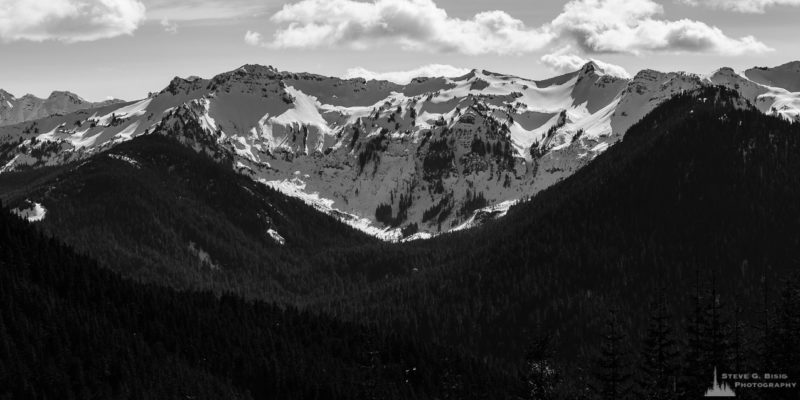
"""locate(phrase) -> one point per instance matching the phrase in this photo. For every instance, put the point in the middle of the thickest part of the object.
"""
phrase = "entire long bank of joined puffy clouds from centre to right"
(594, 26)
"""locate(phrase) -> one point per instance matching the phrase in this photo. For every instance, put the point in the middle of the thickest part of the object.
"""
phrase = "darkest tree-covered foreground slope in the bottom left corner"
(70, 329)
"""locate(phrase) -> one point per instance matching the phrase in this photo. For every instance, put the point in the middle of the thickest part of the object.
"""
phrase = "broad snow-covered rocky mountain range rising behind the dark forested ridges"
(397, 161)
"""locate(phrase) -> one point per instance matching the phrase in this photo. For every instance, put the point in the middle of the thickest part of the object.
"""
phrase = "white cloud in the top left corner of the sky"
(68, 20)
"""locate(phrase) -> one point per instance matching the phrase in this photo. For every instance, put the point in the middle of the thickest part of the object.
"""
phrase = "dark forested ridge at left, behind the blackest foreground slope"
(149, 218)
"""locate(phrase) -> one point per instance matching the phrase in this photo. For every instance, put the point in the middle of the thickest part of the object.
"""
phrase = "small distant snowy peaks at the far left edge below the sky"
(14, 110)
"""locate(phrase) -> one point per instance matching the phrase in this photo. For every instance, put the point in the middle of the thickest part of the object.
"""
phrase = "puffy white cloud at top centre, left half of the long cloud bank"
(417, 25)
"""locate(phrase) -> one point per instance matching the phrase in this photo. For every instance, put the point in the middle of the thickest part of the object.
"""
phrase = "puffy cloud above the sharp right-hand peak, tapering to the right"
(631, 26)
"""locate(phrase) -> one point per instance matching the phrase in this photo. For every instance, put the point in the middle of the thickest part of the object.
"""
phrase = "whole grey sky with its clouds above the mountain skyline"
(124, 49)
